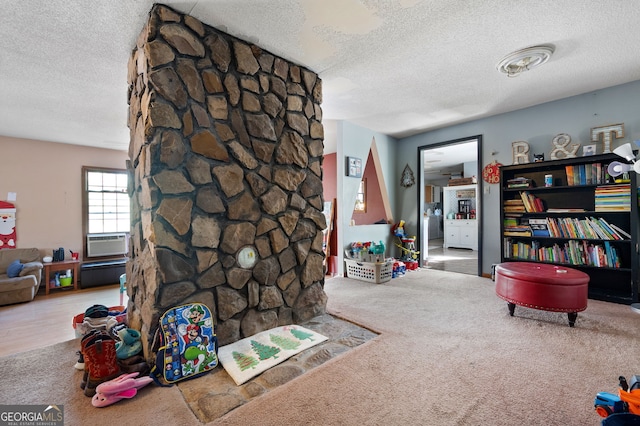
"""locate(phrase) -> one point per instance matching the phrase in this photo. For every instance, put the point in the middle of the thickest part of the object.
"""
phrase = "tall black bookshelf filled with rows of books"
(612, 264)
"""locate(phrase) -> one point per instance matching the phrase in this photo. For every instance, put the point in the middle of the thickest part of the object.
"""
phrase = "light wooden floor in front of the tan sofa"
(47, 320)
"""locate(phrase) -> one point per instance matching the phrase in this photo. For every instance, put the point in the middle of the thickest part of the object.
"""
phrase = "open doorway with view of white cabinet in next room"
(450, 236)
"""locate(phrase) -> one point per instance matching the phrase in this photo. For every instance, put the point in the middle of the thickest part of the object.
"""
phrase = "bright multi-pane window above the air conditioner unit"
(106, 201)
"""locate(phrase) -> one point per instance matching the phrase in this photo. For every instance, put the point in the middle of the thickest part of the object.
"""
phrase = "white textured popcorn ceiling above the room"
(398, 67)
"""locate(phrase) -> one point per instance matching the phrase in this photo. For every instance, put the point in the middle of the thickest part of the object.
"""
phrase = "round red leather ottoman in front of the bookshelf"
(542, 286)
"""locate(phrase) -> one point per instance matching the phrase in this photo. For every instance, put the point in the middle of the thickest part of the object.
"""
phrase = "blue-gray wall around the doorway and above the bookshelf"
(536, 125)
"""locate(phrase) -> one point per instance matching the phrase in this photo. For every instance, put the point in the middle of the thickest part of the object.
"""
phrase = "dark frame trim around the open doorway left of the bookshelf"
(479, 199)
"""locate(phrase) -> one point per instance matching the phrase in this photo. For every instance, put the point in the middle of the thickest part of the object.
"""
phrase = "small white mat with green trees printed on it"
(251, 356)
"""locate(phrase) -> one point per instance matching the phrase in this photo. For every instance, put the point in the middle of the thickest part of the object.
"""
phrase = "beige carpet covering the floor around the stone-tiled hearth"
(448, 354)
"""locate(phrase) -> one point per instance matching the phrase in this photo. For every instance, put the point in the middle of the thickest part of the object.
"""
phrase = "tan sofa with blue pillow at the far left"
(24, 287)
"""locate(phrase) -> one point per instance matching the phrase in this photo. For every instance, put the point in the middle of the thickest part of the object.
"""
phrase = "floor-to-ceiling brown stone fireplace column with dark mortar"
(225, 164)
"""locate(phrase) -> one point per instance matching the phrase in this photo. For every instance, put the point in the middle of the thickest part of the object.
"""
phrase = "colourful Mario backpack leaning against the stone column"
(187, 344)
